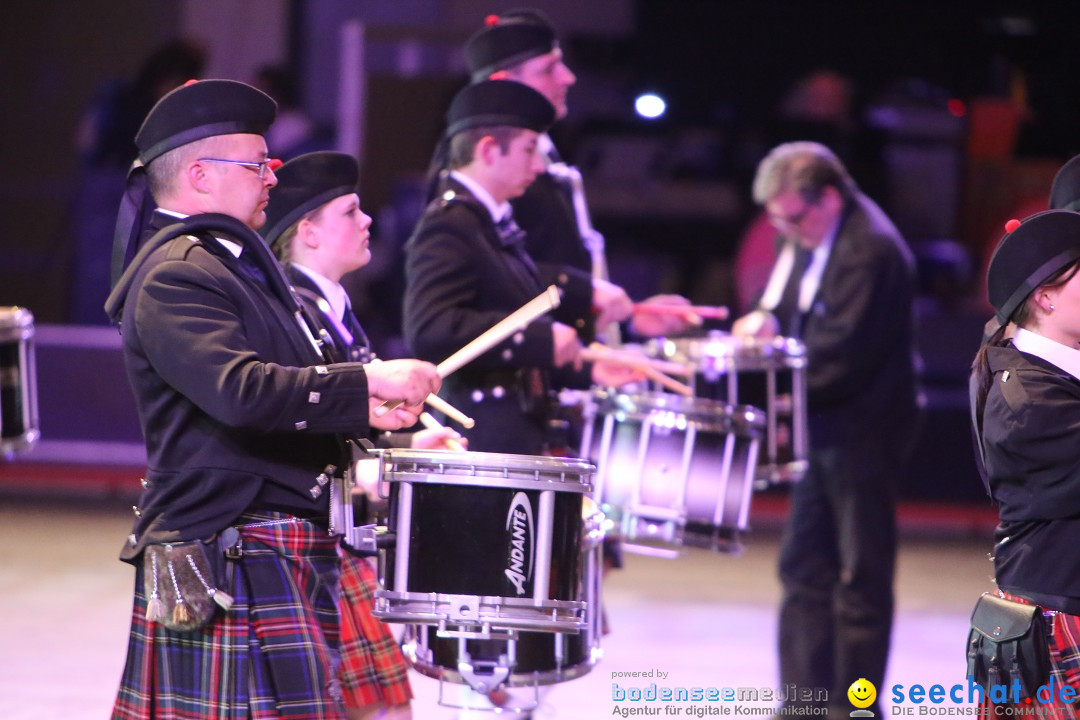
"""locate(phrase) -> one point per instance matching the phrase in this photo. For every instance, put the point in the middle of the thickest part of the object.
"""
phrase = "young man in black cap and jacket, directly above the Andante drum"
(467, 269)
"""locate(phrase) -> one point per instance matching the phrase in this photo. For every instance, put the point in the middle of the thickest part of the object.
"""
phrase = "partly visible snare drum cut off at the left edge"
(19, 385)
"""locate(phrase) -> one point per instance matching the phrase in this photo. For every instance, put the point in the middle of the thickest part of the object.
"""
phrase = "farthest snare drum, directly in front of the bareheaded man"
(769, 375)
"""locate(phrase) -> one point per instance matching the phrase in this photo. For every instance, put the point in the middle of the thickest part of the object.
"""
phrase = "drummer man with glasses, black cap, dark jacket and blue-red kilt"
(244, 425)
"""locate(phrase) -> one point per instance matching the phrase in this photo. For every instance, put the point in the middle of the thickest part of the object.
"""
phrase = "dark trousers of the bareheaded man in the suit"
(838, 564)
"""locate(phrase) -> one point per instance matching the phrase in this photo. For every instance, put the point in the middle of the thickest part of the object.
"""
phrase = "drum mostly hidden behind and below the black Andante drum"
(516, 660)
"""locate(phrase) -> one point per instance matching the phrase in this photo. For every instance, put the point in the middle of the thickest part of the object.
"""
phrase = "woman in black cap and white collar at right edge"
(1028, 415)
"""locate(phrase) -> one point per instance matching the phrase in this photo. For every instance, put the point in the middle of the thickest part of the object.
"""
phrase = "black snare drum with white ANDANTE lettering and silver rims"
(483, 539)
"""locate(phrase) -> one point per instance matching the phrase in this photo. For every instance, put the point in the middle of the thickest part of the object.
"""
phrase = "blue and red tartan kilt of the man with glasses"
(273, 656)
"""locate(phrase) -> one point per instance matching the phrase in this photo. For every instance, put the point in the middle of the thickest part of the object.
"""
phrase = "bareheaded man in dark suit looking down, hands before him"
(844, 283)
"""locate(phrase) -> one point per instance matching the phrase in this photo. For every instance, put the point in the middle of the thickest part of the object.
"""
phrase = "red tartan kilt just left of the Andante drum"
(373, 669)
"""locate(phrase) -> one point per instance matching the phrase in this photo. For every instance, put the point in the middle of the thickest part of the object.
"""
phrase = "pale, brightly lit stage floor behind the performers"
(705, 620)
